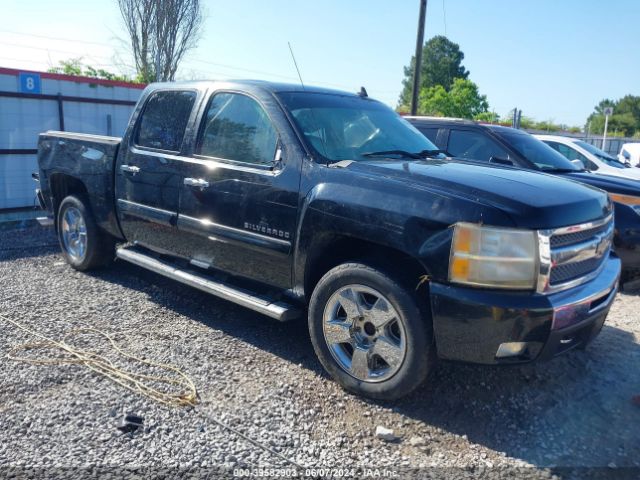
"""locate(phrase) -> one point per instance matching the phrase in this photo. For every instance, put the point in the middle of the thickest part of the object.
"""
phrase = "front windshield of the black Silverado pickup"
(340, 127)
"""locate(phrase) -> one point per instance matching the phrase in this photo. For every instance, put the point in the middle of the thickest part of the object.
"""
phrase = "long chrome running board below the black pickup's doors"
(279, 310)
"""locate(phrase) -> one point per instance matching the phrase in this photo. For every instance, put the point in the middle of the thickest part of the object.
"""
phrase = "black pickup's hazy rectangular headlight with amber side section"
(493, 257)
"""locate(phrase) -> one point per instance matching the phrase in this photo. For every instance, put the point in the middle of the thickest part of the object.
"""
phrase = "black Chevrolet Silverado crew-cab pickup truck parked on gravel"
(292, 200)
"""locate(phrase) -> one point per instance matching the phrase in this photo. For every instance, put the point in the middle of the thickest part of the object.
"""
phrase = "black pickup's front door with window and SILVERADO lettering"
(240, 190)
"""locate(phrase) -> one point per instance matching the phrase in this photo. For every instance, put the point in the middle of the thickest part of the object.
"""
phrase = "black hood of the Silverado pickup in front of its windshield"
(531, 199)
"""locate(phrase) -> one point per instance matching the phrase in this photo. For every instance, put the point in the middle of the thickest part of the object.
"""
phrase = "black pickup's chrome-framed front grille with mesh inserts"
(573, 255)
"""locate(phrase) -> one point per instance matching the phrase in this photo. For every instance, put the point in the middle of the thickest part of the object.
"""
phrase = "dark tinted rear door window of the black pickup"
(164, 120)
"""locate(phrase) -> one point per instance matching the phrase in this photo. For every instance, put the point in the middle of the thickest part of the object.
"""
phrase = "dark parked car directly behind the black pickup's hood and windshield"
(475, 142)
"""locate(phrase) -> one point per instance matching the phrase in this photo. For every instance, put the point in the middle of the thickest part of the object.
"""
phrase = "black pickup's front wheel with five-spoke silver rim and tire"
(369, 332)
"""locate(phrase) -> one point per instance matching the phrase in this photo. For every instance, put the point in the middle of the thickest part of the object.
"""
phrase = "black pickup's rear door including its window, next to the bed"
(147, 173)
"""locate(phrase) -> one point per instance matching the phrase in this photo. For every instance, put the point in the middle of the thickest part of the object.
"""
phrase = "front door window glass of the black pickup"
(235, 127)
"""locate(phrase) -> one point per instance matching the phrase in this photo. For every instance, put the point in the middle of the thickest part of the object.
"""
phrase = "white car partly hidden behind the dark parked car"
(593, 159)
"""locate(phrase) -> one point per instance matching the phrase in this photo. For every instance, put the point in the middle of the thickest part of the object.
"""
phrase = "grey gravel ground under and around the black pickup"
(262, 379)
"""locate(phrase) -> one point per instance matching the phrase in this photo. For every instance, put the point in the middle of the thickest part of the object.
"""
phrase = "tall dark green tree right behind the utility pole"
(441, 65)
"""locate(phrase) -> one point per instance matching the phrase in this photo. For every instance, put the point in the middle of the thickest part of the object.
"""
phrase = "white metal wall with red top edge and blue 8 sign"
(34, 102)
